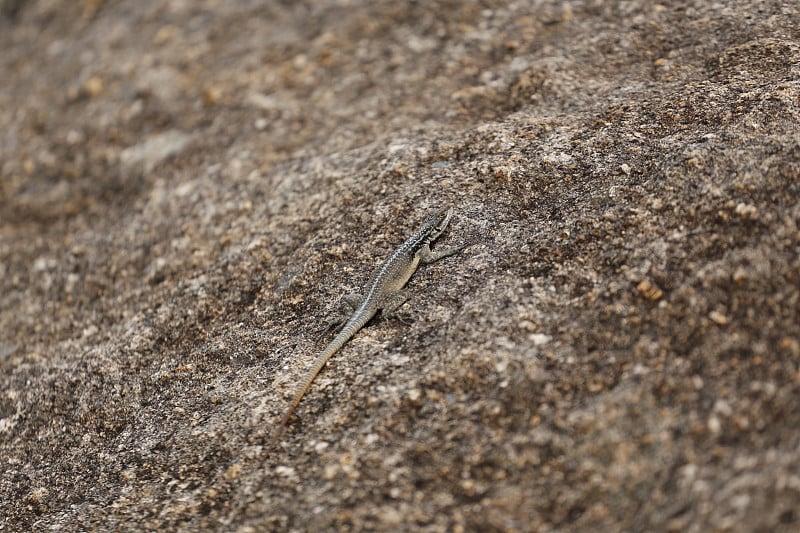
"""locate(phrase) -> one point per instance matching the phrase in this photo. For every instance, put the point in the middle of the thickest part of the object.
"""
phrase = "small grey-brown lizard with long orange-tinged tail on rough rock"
(384, 293)
